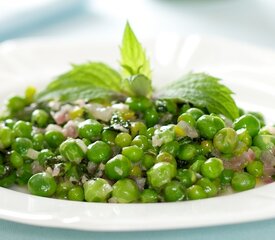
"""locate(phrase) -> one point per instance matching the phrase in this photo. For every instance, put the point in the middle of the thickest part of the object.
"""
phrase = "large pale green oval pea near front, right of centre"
(160, 174)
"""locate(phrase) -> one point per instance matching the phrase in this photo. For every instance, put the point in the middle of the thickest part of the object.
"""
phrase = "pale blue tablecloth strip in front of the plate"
(256, 230)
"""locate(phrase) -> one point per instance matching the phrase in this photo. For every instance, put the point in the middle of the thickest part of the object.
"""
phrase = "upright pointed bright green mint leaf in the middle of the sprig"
(133, 57)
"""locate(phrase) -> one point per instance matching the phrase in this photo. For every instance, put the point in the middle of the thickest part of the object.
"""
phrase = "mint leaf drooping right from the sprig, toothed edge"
(202, 90)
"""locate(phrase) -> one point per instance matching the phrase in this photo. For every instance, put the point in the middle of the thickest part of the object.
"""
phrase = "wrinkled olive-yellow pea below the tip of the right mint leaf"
(225, 140)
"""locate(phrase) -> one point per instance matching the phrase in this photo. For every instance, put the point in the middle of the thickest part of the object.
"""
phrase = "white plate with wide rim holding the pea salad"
(249, 71)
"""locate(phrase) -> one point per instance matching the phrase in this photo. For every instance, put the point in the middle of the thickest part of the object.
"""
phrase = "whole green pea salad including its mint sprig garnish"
(96, 134)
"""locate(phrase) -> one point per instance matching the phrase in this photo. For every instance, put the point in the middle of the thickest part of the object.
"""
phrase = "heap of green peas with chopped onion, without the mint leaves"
(152, 151)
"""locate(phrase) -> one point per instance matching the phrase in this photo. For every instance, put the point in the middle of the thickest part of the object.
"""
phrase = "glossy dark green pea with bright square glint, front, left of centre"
(118, 167)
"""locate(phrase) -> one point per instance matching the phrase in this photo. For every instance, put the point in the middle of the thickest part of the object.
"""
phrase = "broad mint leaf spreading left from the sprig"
(86, 81)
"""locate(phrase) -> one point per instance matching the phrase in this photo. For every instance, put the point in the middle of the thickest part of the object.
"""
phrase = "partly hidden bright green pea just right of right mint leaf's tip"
(249, 122)
